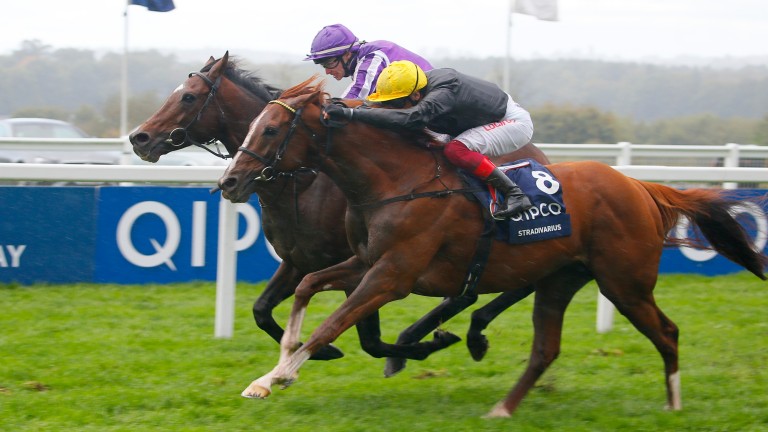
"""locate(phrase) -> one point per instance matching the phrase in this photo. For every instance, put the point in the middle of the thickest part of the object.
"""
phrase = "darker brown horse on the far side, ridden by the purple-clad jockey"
(302, 211)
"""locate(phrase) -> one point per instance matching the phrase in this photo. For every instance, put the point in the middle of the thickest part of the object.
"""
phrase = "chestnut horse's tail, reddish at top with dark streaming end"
(708, 209)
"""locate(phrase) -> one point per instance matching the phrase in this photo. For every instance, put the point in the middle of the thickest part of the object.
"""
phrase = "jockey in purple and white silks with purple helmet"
(339, 51)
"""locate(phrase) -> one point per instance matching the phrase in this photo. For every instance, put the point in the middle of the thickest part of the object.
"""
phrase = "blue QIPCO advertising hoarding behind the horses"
(133, 235)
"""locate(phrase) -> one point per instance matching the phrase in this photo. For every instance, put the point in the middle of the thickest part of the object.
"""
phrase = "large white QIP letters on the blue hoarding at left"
(163, 252)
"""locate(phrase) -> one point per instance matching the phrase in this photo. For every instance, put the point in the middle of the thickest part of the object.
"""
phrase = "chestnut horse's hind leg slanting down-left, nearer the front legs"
(553, 295)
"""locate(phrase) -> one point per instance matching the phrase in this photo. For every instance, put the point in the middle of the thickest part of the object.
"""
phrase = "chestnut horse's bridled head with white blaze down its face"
(282, 139)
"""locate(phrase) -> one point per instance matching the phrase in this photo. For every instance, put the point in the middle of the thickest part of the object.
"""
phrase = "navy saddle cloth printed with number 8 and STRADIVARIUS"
(547, 219)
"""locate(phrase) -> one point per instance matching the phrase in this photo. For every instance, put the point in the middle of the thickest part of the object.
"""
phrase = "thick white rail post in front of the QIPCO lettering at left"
(226, 270)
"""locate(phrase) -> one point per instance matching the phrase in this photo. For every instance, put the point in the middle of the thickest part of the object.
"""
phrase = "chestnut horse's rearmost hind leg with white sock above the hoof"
(638, 305)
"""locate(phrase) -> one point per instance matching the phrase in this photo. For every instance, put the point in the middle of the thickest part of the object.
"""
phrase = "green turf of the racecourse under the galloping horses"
(143, 358)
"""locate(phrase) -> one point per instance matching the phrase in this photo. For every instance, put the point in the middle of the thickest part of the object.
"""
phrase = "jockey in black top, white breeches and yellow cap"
(482, 119)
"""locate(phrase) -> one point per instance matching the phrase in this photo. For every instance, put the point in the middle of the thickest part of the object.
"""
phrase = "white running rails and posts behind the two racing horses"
(622, 155)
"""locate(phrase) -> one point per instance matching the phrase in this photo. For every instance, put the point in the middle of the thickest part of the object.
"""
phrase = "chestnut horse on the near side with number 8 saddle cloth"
(619, 228)
